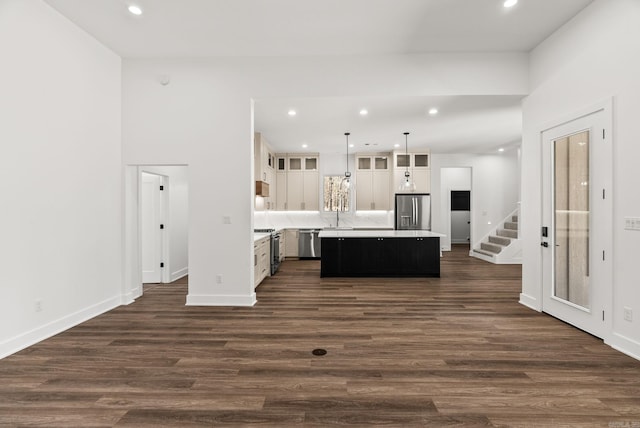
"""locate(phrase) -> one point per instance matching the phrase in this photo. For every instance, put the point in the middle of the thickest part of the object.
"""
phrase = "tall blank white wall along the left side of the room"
(60, 175)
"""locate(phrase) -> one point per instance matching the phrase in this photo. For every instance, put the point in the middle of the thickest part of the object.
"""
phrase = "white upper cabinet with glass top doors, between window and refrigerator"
(373, 182)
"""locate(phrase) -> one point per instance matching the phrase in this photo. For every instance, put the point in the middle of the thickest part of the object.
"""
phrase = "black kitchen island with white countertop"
(380, 253)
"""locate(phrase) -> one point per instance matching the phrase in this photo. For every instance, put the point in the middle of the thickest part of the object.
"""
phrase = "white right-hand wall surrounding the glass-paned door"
(594, 57)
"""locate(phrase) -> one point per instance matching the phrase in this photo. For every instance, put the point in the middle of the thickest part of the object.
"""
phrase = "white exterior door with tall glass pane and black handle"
(577, 223)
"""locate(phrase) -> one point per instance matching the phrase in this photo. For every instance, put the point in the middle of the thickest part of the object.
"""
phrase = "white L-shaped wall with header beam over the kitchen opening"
(203, 118)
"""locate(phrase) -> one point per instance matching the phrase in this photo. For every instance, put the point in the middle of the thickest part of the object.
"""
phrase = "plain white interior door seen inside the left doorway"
(151, 219)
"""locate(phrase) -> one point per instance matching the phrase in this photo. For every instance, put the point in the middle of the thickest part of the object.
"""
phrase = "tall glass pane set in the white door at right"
(571, 219)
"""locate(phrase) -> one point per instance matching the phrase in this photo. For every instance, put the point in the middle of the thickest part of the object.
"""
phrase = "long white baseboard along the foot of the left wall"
(38, 334)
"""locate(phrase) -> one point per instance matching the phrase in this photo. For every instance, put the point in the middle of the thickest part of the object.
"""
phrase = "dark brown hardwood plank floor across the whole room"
(452, 351)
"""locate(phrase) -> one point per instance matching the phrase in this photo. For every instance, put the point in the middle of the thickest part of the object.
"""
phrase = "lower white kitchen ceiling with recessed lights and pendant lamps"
(464, 124)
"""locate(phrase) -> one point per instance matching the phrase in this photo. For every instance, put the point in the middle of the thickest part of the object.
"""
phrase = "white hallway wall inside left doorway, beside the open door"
(178, 222)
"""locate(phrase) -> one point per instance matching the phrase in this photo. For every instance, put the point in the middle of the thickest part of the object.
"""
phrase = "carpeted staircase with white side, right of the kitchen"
(501, 245)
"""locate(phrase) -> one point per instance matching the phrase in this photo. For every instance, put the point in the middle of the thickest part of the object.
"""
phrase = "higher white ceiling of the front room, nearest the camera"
(204, 28)
